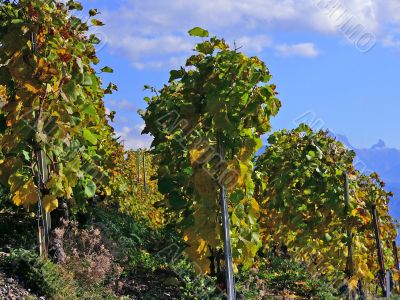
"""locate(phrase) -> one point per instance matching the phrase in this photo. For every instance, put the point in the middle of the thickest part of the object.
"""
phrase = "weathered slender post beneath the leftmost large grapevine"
(44, 219)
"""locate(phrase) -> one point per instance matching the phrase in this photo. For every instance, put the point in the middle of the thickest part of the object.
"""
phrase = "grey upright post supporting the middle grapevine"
(230, 281)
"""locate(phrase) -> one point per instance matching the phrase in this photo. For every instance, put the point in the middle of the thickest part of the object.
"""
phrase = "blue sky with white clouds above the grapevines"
(335, 63)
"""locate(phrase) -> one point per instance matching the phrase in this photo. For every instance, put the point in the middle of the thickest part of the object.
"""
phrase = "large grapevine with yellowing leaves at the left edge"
(52, 102)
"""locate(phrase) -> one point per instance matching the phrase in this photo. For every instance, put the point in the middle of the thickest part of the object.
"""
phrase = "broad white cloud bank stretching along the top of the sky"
(152, 34)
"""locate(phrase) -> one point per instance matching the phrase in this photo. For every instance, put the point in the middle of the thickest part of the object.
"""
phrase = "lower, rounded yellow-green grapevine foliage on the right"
(300, 186)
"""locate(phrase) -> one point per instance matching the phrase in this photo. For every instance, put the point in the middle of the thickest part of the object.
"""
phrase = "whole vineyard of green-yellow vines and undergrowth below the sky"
(202, 214)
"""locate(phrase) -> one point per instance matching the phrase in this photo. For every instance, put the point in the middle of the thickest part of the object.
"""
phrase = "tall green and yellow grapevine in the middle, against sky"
(219, 91)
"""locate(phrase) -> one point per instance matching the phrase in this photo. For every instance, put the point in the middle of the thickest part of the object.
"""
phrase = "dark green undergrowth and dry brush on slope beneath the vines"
(110, 256)
